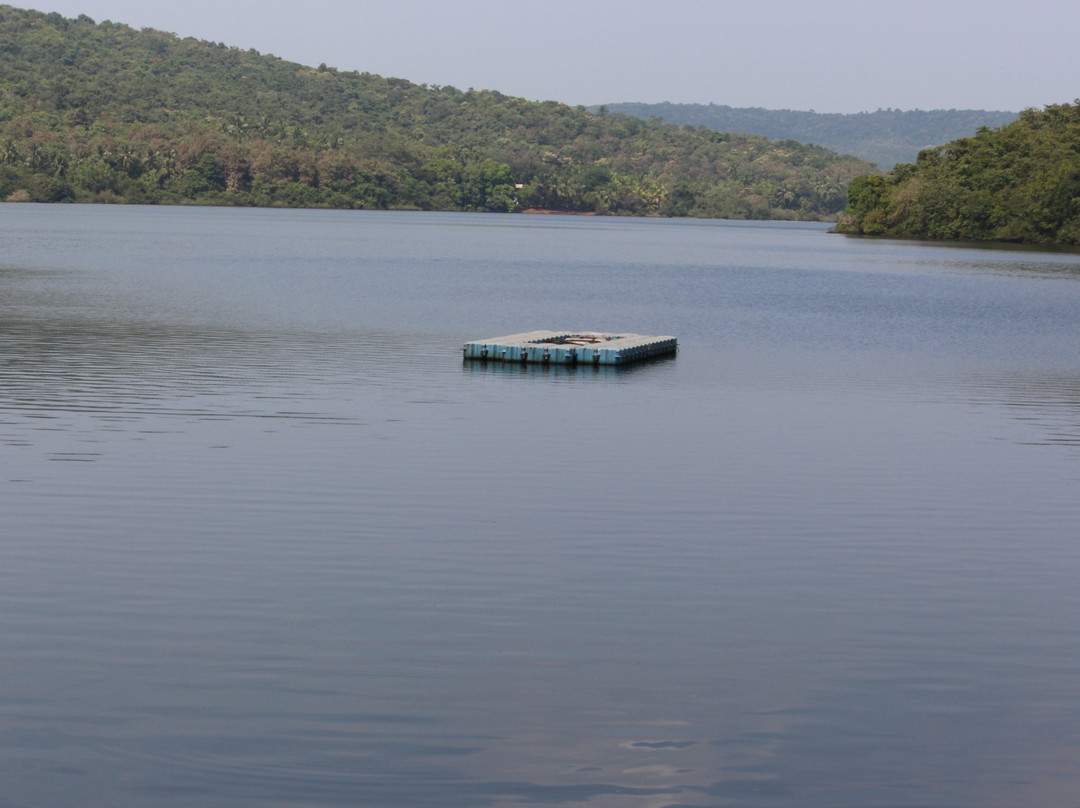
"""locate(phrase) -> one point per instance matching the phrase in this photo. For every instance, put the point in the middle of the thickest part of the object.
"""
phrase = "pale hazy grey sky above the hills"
(831, 56)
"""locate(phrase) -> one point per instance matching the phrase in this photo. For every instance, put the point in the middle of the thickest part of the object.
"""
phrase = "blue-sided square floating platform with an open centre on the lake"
(571, 348)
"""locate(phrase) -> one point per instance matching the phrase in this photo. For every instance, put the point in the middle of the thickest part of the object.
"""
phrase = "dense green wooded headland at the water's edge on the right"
(1020, 183)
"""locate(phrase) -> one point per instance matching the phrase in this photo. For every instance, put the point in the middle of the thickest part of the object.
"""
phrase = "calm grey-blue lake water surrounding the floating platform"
(266, 541)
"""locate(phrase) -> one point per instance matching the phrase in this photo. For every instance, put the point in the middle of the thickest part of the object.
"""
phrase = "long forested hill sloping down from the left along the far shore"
(105, 113)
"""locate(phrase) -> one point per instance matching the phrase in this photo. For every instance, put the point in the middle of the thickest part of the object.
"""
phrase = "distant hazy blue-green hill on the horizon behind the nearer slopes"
(886, 138)
